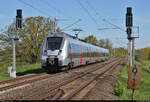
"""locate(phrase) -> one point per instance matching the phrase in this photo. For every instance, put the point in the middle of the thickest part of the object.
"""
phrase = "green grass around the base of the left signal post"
(21, 69)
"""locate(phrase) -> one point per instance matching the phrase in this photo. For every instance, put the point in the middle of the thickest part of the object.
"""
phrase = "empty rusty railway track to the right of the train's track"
(43, 93)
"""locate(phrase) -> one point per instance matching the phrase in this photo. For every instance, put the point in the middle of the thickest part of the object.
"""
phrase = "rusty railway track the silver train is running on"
(26, 80)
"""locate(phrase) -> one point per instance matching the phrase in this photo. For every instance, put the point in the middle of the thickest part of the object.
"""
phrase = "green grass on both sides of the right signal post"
(144, 92)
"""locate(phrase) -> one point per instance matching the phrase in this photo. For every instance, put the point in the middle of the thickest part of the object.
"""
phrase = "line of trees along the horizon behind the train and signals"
(34, 29)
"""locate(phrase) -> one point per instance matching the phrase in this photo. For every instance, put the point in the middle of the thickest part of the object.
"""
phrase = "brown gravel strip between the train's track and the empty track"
(20, 92)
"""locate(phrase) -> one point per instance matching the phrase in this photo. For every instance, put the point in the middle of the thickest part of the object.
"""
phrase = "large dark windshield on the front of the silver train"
(54, 43)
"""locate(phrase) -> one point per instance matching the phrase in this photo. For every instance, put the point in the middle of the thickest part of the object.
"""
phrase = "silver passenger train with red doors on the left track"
(61, 50)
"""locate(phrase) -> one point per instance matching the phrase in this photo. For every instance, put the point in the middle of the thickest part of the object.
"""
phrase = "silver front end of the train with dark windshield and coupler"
(52, 56)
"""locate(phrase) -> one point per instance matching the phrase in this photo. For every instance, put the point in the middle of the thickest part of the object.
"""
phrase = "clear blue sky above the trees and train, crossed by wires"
(91, 14)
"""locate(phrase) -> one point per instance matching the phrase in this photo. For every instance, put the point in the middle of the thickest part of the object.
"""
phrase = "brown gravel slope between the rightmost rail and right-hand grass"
(104, 88)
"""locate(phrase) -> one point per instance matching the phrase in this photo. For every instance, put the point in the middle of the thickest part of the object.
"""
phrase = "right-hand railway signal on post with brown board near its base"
(134, 73)
